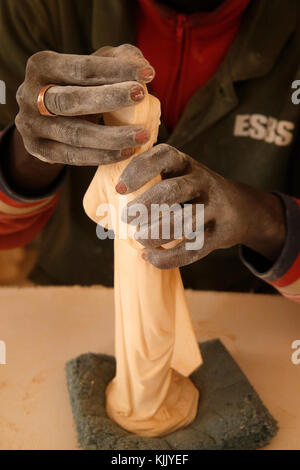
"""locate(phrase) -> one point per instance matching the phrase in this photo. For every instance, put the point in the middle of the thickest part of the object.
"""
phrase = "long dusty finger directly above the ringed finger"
(71, 69)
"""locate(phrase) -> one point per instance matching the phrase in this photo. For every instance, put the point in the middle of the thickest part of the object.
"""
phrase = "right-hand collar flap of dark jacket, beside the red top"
(259, 42)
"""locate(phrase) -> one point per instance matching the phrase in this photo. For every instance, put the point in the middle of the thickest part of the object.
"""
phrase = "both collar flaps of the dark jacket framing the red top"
(261, 38)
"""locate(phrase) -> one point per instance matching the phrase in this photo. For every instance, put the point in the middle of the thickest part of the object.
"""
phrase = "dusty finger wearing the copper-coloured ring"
(79, 101)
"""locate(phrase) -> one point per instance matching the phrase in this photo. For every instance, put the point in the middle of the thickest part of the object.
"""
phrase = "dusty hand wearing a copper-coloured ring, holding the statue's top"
(86, 85)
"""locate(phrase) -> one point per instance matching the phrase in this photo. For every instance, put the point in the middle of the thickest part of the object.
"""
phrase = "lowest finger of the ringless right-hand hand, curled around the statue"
(178, 256)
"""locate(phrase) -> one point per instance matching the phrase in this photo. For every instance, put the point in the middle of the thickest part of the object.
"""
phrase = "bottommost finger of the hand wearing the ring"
(55, 152)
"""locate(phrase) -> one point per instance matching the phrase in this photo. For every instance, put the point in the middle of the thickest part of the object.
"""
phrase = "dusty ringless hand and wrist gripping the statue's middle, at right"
(234, 213)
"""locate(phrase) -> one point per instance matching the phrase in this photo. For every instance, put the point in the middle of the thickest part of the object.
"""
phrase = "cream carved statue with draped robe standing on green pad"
(155, 345)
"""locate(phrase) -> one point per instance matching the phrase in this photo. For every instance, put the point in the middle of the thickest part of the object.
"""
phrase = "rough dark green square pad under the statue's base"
(230, 416)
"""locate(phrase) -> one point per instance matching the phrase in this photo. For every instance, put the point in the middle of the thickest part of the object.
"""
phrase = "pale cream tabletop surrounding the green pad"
(44, 327)
